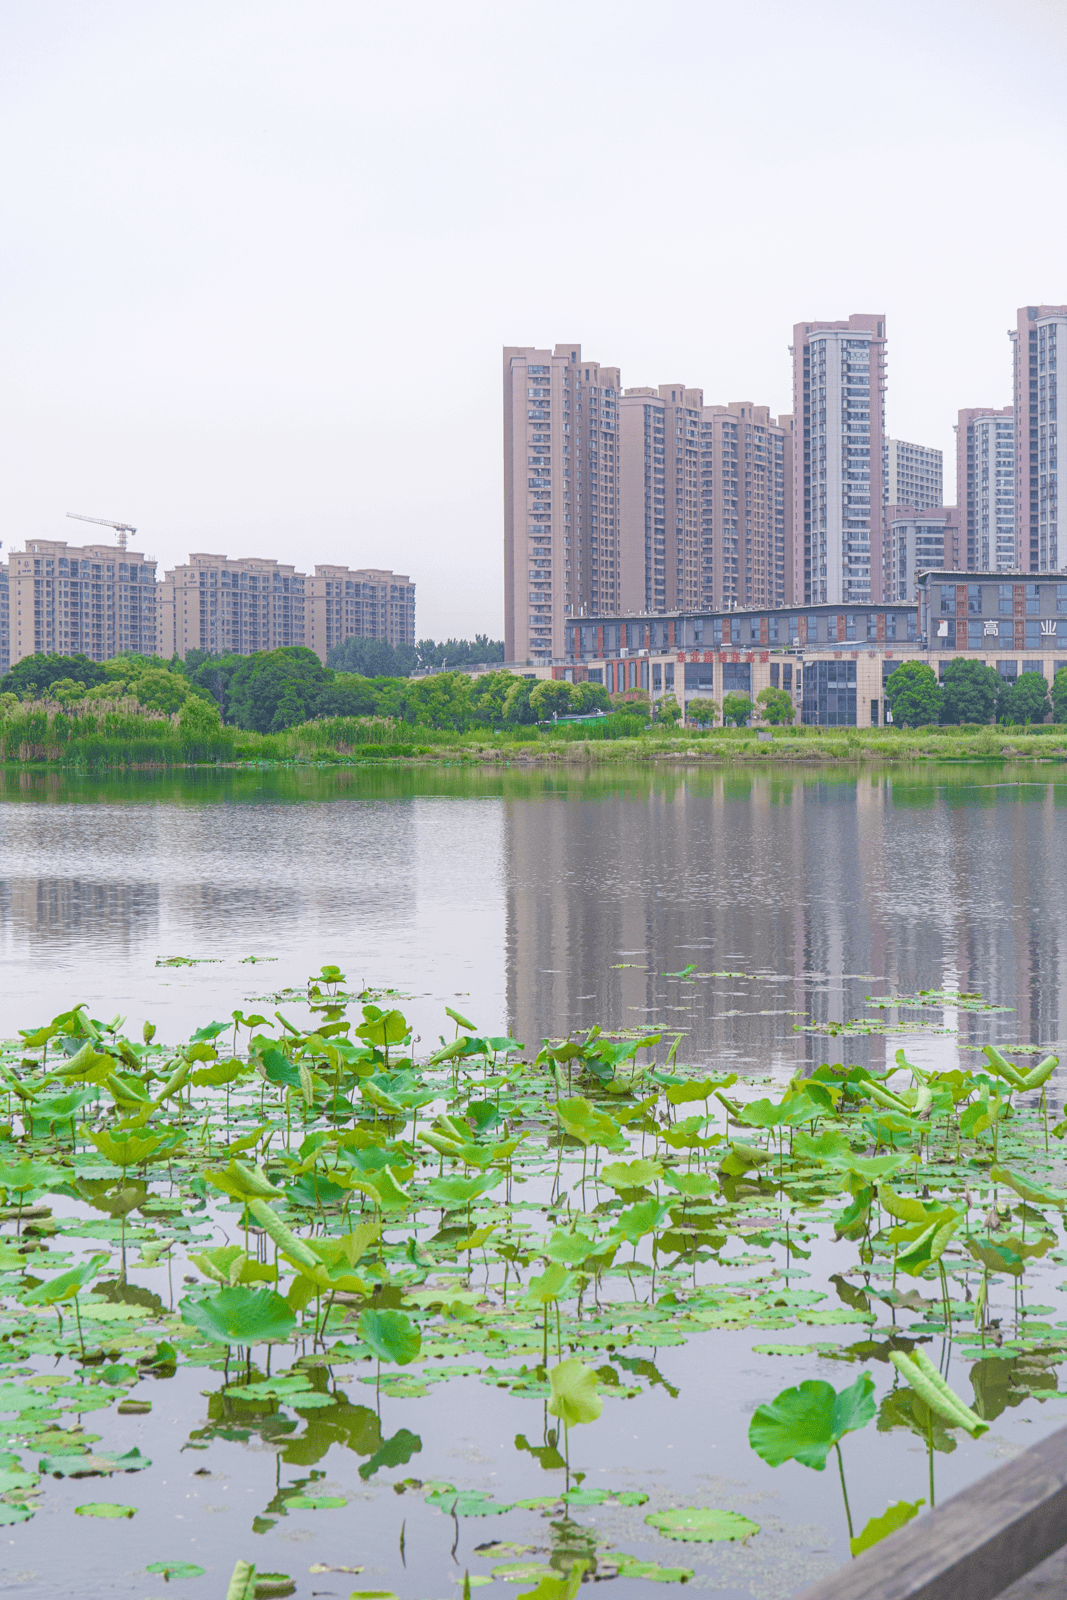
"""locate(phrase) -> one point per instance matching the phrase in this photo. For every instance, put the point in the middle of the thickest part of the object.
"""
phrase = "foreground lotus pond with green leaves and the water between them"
(298, 1308)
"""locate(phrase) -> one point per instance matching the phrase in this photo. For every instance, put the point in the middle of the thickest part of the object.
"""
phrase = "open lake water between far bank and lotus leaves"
(545, 903)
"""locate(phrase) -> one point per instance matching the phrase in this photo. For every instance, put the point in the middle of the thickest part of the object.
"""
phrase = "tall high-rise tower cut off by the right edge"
(1041, 388)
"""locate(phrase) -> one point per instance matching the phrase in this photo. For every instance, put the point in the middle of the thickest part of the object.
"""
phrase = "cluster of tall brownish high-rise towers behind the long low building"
(649, 502)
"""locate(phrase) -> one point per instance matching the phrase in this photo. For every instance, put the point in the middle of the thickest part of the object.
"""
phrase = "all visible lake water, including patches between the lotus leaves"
(749, 913)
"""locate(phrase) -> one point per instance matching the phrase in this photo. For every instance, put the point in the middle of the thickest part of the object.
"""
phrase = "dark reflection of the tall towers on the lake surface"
(825, 889)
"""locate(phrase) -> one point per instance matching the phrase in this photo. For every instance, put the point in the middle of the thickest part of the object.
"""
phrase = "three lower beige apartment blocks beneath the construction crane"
(102, 601)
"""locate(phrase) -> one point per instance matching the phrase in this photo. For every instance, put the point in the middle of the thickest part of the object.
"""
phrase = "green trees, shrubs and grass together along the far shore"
(282, 708)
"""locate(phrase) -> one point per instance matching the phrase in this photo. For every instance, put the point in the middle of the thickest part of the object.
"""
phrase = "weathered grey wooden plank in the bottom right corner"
(977, 1545)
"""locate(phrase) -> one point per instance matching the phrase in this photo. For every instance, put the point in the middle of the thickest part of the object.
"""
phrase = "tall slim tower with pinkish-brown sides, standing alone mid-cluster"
(839, 431)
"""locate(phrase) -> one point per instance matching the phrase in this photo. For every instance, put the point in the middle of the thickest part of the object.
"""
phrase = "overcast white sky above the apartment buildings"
(260, 257)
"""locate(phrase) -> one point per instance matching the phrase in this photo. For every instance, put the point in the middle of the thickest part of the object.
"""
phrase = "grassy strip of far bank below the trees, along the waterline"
(124, 737)
